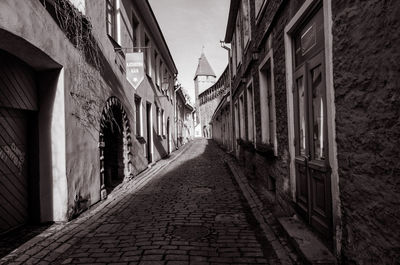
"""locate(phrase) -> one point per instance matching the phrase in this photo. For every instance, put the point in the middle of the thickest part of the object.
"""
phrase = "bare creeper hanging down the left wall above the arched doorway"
(86, 90)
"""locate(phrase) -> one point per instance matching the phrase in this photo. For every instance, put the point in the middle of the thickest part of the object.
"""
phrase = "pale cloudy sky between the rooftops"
(187, 25)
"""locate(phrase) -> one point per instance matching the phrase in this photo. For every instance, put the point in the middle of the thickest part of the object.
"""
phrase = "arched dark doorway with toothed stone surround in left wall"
(115, 146)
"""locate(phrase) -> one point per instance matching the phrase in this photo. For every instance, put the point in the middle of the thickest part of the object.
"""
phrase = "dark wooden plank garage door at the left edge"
(18, 103)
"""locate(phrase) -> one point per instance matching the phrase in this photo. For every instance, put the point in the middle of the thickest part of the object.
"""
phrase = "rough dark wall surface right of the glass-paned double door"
(367, 90)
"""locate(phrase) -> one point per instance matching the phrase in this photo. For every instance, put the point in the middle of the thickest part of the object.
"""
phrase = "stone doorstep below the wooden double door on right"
(306, 243)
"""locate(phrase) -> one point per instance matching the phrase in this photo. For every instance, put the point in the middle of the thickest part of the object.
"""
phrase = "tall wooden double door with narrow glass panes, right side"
(313, 184)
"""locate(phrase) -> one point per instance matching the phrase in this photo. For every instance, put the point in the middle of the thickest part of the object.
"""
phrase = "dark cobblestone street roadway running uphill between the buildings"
(190, 213)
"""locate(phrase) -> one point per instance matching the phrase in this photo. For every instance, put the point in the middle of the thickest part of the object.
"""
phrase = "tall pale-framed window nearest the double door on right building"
(267, 101)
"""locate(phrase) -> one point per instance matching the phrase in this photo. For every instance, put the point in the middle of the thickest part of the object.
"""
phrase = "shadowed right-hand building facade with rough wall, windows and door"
(315, 104)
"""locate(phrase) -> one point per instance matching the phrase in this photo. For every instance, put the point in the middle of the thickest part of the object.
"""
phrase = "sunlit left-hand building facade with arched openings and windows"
(73, 126)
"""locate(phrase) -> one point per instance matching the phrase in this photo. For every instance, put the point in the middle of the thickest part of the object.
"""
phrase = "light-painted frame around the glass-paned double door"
(305, 10)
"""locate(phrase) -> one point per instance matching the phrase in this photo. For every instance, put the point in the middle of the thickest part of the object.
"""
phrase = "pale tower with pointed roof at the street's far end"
(203, 79)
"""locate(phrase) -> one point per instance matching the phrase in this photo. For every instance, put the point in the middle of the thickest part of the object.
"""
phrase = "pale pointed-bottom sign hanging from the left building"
(134, 68)
